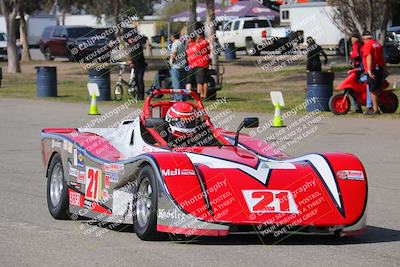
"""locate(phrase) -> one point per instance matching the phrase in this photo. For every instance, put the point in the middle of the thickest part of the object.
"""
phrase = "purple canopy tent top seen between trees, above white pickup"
(241, 9)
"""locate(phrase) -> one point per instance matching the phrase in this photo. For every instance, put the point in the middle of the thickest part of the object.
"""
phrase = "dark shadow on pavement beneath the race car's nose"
(373, 234)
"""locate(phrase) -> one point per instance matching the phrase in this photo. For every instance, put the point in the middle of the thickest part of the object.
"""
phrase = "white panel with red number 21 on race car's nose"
(270, 201)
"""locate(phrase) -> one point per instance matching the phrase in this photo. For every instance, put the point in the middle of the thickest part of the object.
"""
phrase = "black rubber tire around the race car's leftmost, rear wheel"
(58, 210)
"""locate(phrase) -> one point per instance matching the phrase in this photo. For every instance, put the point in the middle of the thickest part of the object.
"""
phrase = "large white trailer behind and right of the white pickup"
(315, 19)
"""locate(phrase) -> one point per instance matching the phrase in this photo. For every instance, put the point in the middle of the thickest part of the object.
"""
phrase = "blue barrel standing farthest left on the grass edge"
(46, 81)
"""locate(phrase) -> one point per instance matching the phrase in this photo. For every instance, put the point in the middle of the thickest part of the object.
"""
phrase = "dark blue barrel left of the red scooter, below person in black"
(319, 90)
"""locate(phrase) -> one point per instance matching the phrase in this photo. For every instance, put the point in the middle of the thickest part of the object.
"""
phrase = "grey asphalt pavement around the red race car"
(29, 236)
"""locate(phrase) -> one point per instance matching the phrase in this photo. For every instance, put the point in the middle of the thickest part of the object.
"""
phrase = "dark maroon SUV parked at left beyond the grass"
(72, 42)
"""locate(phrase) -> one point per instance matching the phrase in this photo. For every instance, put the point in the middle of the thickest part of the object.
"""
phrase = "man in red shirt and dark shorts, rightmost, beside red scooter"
(374, 63)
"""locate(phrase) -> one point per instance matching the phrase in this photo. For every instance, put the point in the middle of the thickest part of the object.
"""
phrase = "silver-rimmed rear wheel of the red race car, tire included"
(57, 196)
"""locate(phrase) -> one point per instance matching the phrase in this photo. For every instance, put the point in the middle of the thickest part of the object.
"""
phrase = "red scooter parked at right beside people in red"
(351, 86)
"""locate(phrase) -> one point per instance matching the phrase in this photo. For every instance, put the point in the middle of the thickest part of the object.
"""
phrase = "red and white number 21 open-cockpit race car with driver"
(170, 171)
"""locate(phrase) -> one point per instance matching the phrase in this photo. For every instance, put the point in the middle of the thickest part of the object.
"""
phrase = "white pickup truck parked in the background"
(254, 35)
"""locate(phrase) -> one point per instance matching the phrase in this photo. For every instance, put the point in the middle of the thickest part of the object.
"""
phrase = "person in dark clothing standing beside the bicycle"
(137, 61)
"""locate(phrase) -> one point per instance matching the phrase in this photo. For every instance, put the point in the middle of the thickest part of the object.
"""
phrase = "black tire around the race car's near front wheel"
(145, 229)
